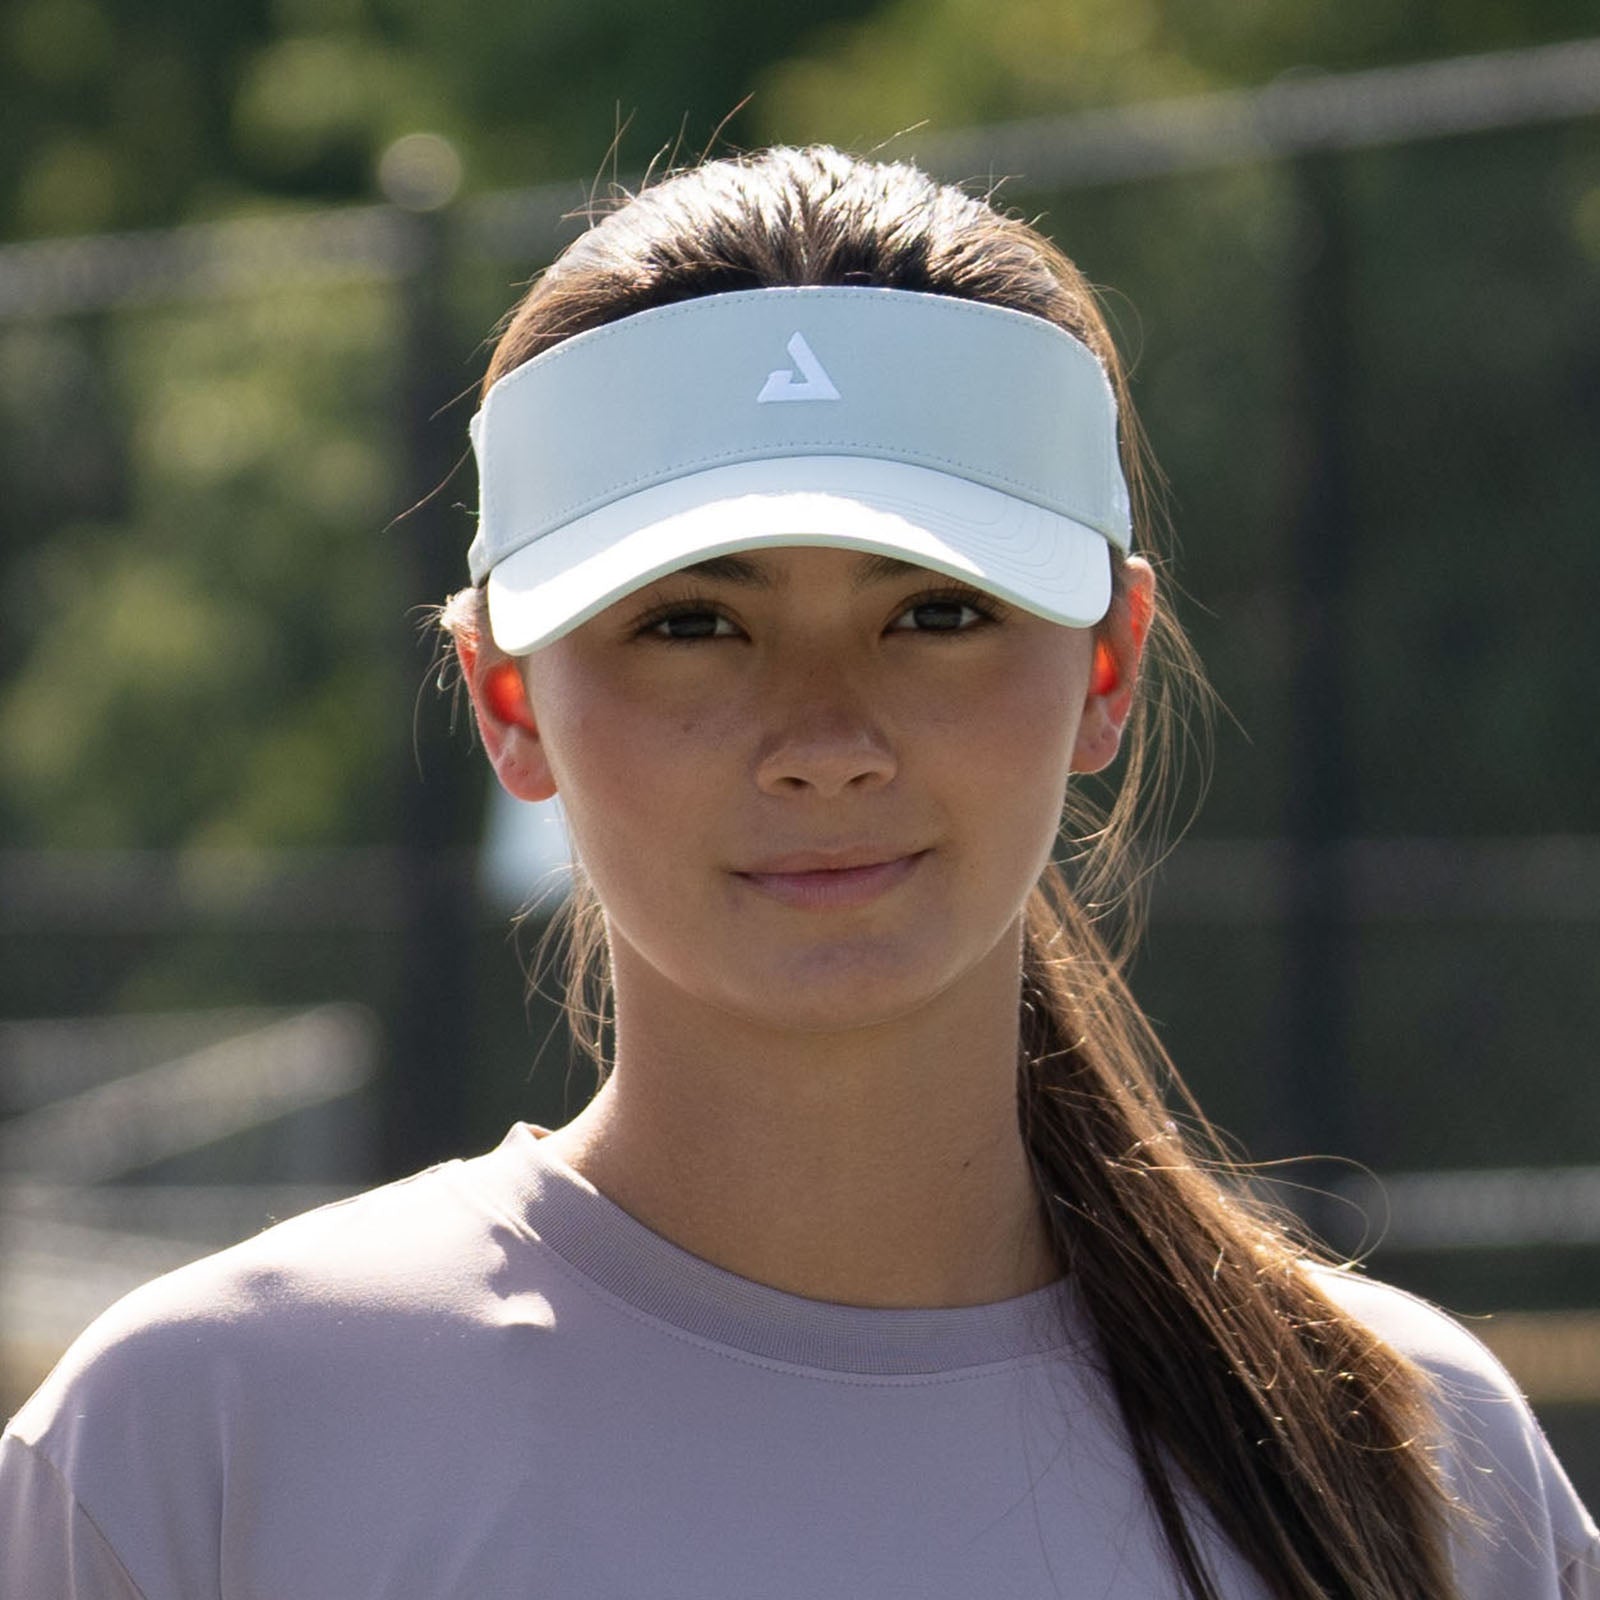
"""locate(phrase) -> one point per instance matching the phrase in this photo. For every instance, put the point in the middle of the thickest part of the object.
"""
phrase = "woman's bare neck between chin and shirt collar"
(871, 1167)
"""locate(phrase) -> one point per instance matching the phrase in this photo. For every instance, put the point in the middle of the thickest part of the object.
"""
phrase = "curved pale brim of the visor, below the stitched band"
(1022, 553)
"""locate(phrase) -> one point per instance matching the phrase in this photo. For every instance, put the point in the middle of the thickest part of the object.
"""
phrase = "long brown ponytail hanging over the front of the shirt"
(1236, 1377)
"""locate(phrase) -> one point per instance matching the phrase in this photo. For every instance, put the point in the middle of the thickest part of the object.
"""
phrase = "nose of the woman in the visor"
(825, 740)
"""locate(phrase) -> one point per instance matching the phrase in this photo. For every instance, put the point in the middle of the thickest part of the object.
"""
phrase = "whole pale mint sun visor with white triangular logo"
(958, 436)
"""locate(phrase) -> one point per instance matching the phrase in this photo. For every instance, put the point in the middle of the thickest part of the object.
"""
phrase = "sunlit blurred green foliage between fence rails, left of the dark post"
(218, 666)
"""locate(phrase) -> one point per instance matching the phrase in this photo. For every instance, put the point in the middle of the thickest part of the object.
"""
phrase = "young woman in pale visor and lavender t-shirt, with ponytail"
(878, 1266)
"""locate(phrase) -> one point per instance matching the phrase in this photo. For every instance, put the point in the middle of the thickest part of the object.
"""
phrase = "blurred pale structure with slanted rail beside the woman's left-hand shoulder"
(140, 1143)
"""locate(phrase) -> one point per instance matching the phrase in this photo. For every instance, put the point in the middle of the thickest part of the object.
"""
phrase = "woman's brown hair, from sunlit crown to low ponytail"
(1295, 1428)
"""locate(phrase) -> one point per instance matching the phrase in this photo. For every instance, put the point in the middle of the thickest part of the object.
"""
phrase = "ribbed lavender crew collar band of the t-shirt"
(559, 1209)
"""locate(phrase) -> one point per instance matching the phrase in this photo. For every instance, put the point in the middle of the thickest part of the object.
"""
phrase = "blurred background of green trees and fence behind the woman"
(257, 903)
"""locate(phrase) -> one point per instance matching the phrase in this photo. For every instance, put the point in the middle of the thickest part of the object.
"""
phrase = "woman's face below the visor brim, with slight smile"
(812, 788)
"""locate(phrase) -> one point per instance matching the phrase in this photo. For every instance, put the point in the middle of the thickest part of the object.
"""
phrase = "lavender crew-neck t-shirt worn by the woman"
(492, 1383)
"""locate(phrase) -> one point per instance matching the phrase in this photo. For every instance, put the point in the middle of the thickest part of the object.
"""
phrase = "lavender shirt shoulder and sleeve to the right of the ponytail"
(1522, 1524)
